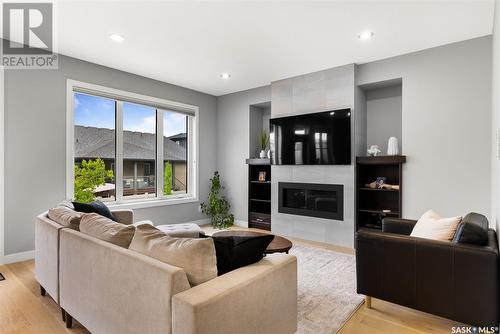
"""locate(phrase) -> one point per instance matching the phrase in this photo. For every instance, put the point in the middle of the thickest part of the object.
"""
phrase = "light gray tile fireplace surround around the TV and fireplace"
(320, 91)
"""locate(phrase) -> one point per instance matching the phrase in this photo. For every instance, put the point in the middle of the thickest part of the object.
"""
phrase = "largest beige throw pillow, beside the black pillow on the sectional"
(195, 256)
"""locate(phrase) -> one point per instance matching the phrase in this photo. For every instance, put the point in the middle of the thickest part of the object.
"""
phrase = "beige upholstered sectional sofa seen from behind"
(110, 289)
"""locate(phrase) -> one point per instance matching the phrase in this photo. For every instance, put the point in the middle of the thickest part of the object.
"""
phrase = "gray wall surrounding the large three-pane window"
(35, 112)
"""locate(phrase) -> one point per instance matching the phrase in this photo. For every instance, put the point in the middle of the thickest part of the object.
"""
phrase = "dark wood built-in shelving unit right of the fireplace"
(373, 204)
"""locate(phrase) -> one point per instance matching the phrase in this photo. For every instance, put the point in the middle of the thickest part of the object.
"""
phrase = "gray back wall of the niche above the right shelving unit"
(383, 110)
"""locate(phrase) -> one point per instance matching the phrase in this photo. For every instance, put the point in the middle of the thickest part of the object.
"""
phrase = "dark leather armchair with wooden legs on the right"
(458, 281)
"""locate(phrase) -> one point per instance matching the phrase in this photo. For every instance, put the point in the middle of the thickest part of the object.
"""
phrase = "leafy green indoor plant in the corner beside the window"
(217, 206)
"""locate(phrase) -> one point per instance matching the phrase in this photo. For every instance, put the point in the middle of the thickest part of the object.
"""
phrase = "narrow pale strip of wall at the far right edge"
(495, 138)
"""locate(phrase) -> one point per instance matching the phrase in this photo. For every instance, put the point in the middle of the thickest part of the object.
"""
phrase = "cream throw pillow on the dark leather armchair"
(432, 226)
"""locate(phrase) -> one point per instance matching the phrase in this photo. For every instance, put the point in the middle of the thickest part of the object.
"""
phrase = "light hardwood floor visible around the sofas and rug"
(24, 310)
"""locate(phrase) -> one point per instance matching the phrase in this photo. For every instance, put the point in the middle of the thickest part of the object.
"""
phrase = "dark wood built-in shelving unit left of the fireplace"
(259, 194)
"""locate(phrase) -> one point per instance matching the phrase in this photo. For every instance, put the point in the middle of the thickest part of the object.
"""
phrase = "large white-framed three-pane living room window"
(129, 149)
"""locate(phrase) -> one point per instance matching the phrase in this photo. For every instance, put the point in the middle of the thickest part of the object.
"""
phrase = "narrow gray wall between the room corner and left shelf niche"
(233, 136)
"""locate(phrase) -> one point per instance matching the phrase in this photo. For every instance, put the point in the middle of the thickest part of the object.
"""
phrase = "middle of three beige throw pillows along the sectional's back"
(105, 229)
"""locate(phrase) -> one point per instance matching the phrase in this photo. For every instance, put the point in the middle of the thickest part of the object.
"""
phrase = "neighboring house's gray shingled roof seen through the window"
(91, 142)
